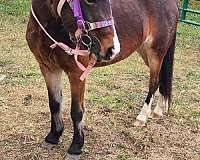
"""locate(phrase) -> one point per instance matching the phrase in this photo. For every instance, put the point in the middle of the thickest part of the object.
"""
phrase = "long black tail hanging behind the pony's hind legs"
(166, 73)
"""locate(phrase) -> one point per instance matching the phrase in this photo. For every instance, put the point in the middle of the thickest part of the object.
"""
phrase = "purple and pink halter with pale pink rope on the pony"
(83, 28)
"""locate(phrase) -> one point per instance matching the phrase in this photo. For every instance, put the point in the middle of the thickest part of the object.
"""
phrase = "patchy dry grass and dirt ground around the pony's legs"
(113, 99)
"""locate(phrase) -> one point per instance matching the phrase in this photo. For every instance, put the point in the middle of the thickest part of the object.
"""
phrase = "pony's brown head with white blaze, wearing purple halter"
(94, 19)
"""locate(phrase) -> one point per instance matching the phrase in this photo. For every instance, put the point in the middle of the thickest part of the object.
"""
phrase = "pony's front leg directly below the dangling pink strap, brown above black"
(77, 111)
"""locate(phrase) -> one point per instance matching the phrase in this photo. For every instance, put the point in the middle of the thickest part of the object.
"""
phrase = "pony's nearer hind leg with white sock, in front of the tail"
(154, 61)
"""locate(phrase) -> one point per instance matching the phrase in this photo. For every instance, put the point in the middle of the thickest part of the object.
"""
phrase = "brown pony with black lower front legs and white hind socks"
(145, 26)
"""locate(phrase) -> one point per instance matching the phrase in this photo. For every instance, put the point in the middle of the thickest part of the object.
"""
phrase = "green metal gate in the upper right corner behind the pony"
(185, 9)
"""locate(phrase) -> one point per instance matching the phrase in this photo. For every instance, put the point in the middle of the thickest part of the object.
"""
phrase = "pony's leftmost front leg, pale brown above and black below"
(54, 87)
